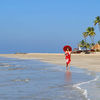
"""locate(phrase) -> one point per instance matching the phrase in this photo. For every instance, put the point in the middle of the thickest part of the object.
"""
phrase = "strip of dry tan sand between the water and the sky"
(88, 61)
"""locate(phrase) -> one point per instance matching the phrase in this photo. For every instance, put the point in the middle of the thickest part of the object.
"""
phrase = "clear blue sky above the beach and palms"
(45, 26)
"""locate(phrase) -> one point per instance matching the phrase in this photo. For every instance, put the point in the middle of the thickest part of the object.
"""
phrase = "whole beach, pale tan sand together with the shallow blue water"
(43, 76)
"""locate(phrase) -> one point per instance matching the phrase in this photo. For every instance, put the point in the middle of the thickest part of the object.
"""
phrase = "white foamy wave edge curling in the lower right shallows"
(84, 91)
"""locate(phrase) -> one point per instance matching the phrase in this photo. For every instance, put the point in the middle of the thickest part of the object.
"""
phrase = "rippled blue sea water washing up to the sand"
(22, 79)
